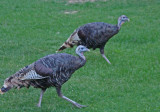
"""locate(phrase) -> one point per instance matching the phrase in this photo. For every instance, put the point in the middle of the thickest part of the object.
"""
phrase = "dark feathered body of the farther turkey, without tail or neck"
(95, 35)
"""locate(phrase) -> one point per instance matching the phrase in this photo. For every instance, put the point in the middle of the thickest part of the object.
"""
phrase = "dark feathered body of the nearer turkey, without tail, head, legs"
(54, 70)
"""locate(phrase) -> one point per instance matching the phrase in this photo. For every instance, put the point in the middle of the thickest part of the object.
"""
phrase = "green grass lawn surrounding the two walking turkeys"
(31, 29)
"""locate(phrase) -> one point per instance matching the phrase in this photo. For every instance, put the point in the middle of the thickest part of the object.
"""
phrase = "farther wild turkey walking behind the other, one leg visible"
(94, 35)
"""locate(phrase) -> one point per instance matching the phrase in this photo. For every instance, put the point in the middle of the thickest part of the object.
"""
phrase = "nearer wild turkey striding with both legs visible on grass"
(52, 70)
